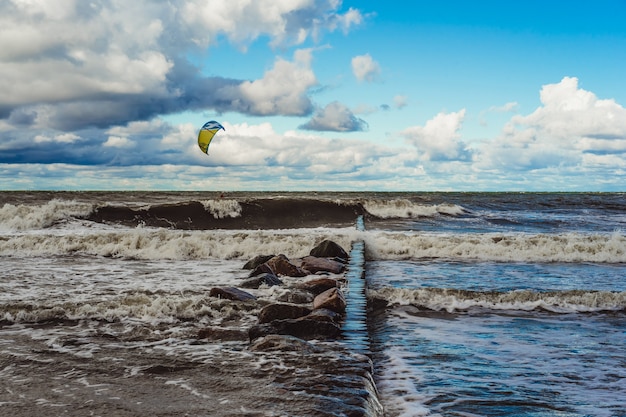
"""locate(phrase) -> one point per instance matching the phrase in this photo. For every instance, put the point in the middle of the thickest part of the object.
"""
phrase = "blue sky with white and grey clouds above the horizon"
(314, 95)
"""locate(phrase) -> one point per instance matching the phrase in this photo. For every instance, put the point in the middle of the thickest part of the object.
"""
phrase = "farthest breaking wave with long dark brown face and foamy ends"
(219, 213)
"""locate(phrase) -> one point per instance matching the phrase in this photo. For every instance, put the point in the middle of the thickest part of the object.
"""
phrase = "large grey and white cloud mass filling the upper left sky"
(70, 65)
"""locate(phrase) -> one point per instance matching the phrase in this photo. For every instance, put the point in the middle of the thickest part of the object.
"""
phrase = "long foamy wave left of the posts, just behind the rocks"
(154, 244)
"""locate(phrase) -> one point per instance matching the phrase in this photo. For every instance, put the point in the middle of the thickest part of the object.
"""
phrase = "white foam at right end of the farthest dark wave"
(402, 208)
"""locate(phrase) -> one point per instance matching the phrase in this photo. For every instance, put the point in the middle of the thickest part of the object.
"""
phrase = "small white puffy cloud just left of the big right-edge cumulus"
(439, 138)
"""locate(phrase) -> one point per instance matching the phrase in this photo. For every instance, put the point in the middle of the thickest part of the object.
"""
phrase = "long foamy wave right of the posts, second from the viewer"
(513, 247)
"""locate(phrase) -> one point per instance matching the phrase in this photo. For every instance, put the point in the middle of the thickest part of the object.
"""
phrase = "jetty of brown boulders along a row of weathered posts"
(314, 328)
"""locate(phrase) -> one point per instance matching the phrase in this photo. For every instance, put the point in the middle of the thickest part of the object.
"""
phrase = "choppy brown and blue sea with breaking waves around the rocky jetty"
(479, 304)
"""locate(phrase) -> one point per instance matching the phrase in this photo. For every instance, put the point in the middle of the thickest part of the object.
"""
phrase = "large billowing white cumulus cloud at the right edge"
(570, 124)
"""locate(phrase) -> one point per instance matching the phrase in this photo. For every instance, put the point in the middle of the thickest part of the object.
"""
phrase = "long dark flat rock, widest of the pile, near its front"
(302, 327)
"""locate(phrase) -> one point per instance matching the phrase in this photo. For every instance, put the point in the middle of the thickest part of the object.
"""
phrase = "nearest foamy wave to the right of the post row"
(451, 300)
